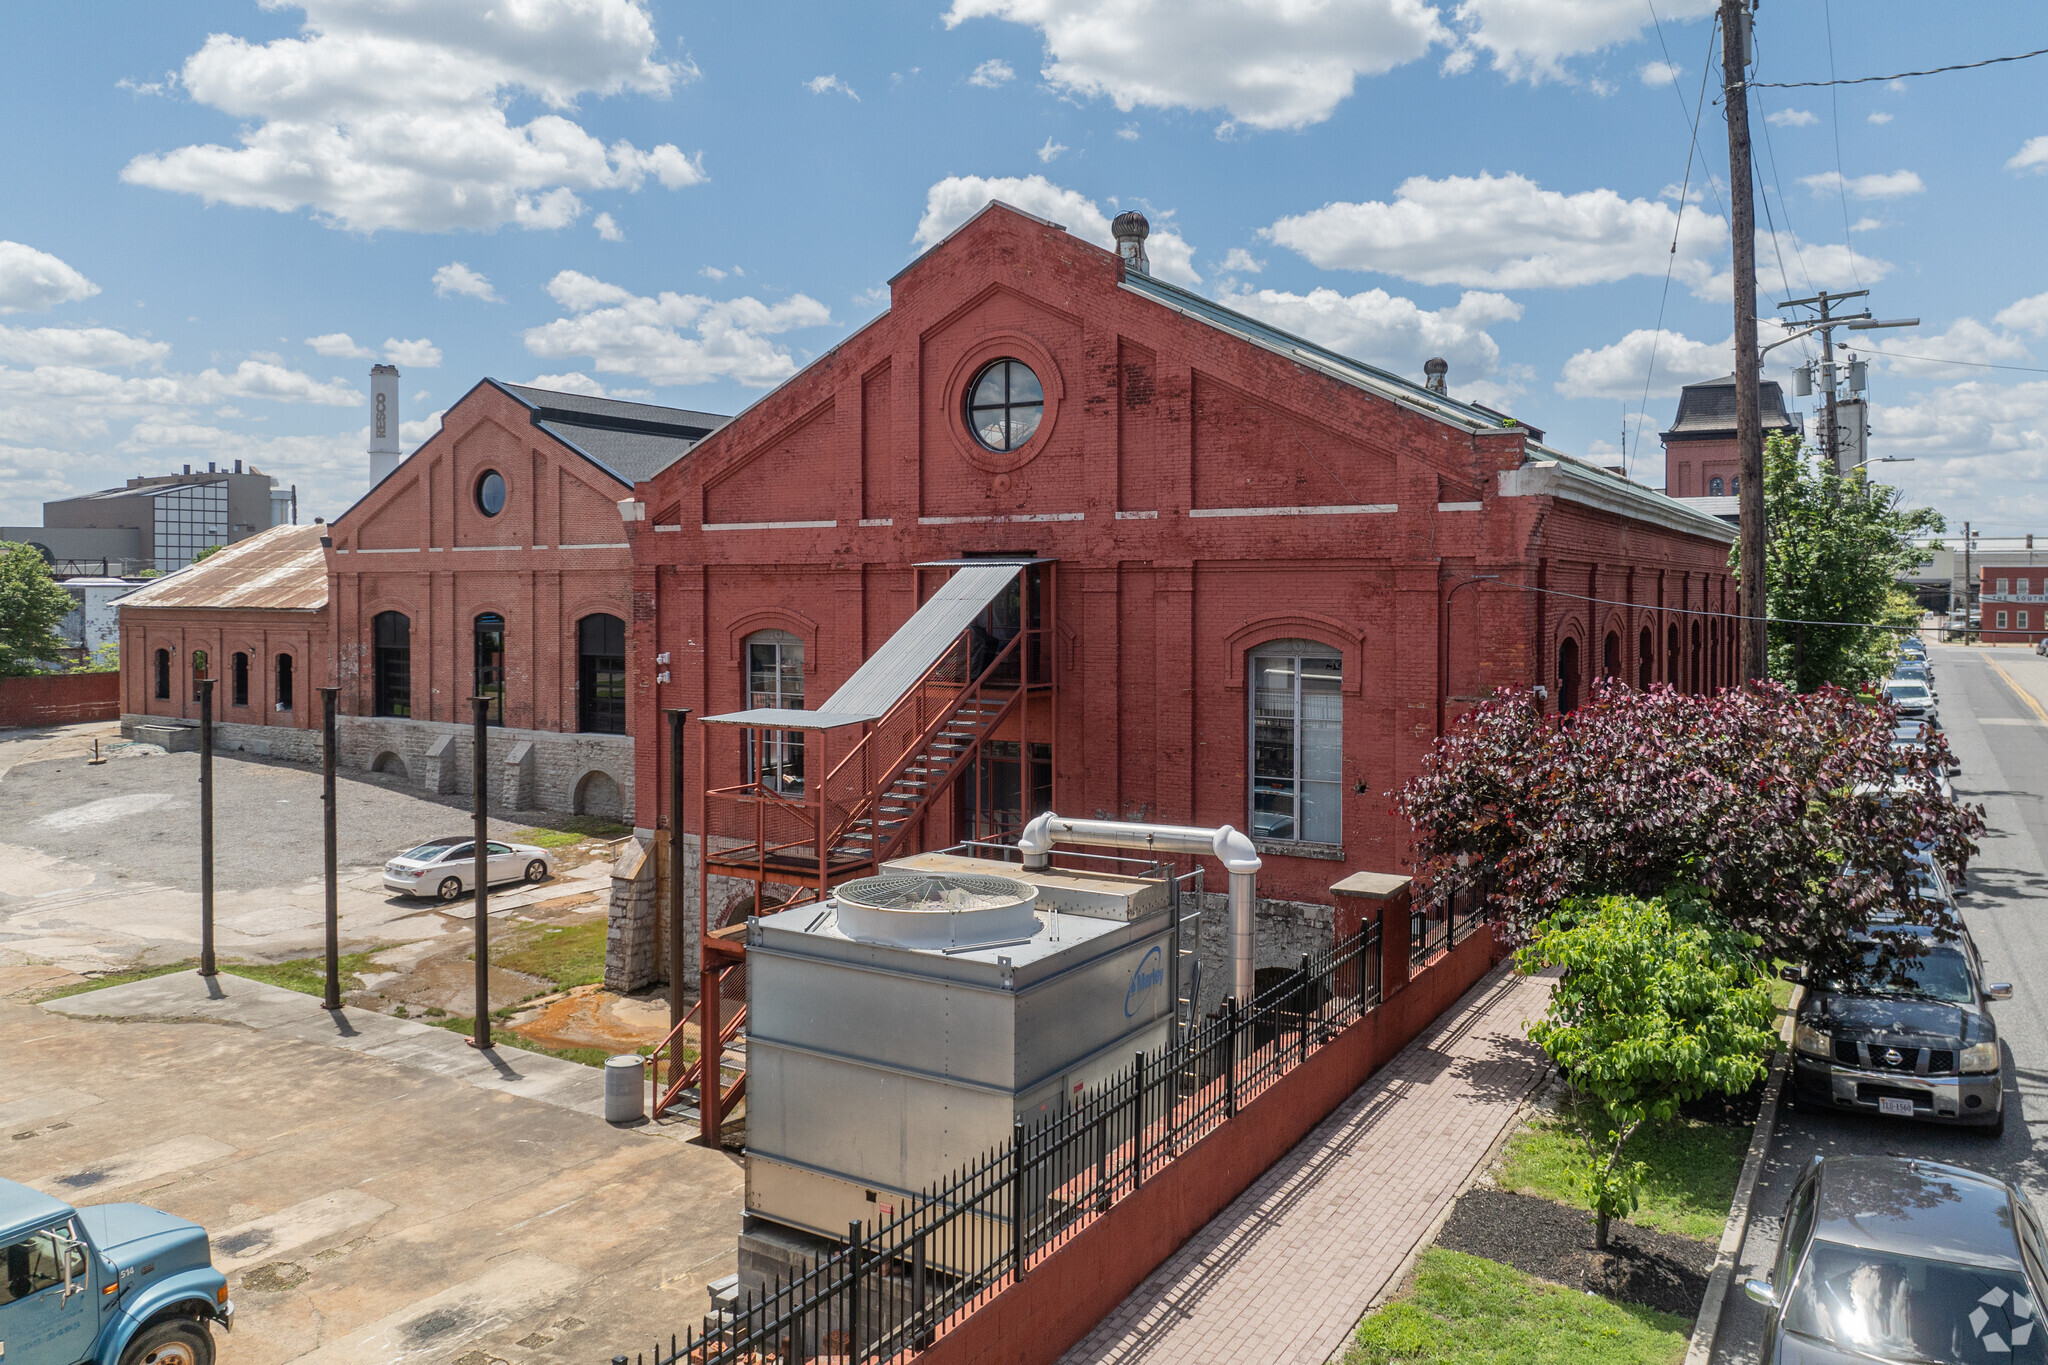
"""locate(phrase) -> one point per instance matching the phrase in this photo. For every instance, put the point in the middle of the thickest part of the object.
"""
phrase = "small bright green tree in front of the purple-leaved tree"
(1652, 1012)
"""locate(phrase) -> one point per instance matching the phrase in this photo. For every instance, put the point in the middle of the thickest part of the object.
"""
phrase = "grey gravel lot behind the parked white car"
(138, 816)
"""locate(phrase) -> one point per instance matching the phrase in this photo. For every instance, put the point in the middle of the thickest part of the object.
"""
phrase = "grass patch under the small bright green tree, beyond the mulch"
(1689, 1186)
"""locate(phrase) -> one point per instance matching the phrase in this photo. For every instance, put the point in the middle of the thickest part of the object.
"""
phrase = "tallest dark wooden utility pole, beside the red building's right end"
(1748, 419)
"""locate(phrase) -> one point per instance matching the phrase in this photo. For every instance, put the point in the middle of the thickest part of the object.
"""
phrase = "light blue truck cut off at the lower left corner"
(114, 1284)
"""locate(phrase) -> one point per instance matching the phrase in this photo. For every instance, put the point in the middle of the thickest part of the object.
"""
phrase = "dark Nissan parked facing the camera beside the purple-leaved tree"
(1910, 1039)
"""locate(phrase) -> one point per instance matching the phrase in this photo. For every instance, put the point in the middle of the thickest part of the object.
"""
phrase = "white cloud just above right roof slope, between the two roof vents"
(1388, 331)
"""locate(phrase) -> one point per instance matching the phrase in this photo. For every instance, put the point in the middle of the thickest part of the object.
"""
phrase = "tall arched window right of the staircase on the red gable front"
(1297, 742)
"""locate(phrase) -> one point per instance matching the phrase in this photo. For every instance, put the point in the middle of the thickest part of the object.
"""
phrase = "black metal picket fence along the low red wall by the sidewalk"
(898, 1284)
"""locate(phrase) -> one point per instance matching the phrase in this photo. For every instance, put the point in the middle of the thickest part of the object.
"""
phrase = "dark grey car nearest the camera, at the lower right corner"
(1900, 1260)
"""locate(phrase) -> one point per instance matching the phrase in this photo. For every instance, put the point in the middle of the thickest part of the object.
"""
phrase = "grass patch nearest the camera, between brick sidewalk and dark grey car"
(1469, 1311)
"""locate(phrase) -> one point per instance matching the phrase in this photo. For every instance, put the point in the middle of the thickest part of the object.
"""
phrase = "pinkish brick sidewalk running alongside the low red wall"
(1283, 1276)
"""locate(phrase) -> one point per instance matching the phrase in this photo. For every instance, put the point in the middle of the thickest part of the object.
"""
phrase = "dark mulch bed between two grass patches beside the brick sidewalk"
(1558, 1243)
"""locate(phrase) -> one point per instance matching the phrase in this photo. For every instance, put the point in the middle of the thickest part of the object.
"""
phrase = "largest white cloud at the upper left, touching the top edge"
(394, 114)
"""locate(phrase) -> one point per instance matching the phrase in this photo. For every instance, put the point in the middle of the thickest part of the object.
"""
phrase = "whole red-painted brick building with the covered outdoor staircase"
(1254, 582)
